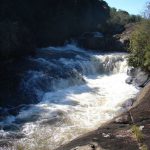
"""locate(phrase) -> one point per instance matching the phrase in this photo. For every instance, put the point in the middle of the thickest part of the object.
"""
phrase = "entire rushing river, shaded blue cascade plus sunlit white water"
(77, 91)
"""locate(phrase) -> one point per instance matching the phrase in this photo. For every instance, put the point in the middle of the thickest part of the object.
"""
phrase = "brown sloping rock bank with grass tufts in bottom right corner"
(129, 131)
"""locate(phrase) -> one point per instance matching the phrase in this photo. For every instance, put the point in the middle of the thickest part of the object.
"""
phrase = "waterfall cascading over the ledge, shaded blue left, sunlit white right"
(54, 74)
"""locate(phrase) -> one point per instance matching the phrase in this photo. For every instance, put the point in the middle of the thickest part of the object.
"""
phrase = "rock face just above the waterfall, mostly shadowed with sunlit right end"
(118, 42)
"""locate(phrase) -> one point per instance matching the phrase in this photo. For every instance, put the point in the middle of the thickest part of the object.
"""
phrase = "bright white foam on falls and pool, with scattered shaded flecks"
(74, 109)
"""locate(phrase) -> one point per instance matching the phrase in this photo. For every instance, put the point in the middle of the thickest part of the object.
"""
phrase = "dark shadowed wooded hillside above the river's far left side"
(27, 24)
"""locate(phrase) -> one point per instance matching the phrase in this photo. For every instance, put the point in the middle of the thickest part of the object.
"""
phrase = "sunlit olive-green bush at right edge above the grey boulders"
(140, 46)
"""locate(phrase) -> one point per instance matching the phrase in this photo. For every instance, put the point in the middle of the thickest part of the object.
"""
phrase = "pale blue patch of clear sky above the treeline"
(132, 6)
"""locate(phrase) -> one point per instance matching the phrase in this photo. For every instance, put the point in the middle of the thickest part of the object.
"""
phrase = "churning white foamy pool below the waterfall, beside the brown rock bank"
(69, 113)
